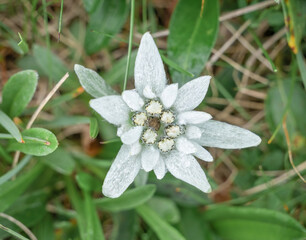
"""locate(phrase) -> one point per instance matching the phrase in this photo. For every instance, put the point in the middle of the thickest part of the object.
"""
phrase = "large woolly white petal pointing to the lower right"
(186, 168)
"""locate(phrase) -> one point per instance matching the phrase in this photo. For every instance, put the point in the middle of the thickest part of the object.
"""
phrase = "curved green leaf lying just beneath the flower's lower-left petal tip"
(128, 200)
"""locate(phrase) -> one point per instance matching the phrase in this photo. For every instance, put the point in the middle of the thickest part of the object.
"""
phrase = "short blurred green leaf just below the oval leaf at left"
(61, 161)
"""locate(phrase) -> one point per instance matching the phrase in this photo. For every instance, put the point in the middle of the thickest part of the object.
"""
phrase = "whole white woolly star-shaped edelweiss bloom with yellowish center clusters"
(160, 129)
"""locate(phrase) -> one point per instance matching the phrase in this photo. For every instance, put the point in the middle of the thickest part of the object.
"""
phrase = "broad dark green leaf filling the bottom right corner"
(233, 223)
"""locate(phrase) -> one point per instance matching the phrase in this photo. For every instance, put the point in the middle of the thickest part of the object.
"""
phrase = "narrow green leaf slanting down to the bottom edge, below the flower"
(163, 230)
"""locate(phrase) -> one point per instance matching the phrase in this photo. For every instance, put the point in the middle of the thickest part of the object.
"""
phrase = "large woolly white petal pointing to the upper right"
(191, 94)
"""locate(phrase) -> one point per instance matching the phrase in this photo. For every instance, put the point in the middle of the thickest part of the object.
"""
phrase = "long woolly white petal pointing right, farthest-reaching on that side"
(223, 135)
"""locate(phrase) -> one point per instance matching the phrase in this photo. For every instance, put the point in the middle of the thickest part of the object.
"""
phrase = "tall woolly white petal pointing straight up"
(149, 68)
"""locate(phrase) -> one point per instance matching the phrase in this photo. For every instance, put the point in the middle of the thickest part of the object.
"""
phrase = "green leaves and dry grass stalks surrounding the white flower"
(259, 78)
